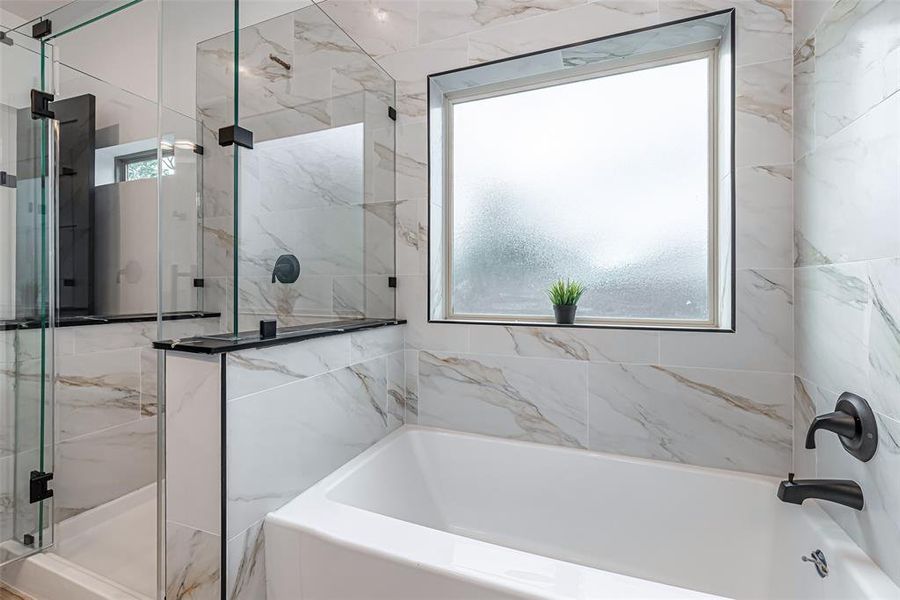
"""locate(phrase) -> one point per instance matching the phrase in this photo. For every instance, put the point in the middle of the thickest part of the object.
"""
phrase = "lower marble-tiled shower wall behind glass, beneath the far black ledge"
(106, 406)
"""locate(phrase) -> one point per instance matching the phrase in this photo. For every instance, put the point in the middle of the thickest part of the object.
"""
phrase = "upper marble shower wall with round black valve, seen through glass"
(319, 183)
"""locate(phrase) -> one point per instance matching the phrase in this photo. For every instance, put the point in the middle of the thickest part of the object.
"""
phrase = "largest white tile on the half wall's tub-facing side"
(283, 440)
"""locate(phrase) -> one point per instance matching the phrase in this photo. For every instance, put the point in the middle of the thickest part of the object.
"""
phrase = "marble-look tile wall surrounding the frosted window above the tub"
(722, 400)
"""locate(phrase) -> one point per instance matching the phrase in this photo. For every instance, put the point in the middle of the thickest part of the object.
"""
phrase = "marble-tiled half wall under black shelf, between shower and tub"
(294, 413)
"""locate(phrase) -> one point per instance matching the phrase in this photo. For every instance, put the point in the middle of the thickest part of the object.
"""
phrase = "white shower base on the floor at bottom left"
(107, 553)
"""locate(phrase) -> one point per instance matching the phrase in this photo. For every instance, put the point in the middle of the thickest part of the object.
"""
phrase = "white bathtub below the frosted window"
(428, 514)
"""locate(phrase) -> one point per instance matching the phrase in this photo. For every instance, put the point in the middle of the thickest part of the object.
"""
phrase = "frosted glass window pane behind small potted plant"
(606, 180)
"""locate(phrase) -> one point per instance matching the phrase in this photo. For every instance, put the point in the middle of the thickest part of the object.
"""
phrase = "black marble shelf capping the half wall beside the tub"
(225, 342)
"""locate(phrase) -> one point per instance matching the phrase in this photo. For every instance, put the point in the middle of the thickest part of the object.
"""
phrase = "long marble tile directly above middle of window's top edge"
(582, 22)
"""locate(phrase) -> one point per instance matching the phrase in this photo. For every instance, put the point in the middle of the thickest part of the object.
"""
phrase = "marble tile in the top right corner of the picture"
(856, 67)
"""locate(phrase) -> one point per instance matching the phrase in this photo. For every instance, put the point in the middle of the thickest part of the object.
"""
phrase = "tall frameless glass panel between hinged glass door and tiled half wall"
(105, 114)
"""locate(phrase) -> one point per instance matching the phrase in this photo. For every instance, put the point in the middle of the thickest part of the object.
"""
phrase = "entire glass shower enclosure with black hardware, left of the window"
(168, 169)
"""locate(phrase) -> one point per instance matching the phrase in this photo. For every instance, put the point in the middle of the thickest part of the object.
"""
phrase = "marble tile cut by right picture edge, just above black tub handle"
(884, 335)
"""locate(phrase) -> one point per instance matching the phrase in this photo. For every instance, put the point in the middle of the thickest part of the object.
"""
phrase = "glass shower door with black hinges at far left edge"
(26, 340)
